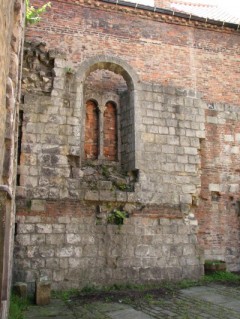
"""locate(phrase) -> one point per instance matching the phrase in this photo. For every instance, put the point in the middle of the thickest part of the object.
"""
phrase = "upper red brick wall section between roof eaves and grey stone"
(182, 53)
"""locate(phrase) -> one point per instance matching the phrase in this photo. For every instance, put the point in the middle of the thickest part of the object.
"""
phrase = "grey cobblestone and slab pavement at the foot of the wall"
(214, 301)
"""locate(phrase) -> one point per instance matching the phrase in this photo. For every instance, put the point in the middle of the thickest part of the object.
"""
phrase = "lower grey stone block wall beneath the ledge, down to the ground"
(67, 243)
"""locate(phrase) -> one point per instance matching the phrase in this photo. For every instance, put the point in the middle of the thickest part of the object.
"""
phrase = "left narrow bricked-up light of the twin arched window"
(91, 145)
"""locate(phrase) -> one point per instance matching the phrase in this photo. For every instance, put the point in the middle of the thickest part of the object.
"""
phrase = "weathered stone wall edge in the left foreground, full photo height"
(11, 19)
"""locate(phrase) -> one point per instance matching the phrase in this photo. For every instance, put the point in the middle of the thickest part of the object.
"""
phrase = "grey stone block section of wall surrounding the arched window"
(52, 169)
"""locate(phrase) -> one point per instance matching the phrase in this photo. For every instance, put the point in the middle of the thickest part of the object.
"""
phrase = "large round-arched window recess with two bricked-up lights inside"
(110, 82)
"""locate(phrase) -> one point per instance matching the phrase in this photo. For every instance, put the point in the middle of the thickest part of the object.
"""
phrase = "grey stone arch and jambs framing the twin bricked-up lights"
(126, 154)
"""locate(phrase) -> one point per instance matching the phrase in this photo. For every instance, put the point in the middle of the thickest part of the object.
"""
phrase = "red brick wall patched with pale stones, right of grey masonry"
(218, 213)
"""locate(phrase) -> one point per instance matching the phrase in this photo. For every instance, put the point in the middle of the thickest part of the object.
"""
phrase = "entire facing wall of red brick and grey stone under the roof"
(178, 113)
